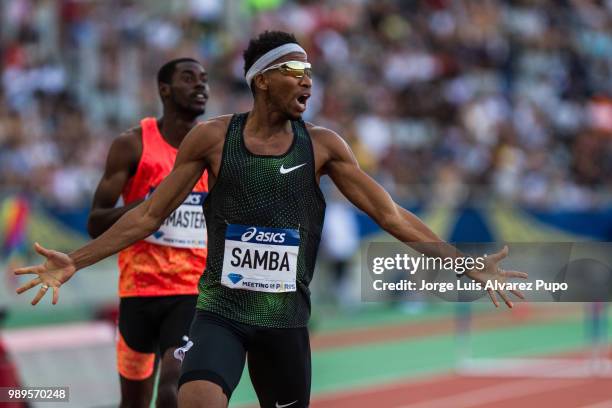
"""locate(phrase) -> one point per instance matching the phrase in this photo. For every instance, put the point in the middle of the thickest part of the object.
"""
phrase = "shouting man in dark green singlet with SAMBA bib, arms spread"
(264, 215)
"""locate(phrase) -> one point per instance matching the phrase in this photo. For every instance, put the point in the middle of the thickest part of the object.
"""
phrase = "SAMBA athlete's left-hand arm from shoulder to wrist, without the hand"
(144, 219)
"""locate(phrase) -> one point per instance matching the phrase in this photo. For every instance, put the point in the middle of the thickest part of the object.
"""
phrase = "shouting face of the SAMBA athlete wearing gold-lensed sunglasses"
(287, 92)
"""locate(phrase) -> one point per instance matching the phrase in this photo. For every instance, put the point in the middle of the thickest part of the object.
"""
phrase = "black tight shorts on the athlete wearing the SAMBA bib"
(279, 359)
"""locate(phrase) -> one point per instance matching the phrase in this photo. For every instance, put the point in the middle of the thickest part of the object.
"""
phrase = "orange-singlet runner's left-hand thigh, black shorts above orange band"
(137, 340)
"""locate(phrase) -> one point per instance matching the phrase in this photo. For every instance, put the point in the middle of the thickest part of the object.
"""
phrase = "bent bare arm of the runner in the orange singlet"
(121, 164)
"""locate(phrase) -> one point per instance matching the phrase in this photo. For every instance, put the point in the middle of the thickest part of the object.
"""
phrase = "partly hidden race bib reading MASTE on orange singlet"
(185, 227)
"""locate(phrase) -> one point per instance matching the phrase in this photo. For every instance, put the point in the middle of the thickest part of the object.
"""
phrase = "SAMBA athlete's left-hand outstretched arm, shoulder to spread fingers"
(134, 225)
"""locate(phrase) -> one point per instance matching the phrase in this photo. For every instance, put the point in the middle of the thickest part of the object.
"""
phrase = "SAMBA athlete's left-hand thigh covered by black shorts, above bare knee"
(218, 352)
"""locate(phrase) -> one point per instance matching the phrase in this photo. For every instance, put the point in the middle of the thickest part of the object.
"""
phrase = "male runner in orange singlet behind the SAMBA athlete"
(159, 275)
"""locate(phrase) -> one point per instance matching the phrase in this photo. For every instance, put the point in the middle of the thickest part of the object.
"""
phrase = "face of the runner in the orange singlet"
(189, 87)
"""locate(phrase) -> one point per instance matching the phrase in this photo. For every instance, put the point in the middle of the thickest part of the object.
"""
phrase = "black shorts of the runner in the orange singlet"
(156, 323)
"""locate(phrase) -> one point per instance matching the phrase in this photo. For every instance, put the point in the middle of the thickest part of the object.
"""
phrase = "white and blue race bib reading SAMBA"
(260, 259)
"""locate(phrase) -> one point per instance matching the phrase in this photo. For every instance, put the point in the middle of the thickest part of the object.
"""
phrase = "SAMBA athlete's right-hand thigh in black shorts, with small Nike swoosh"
(279, 365)
